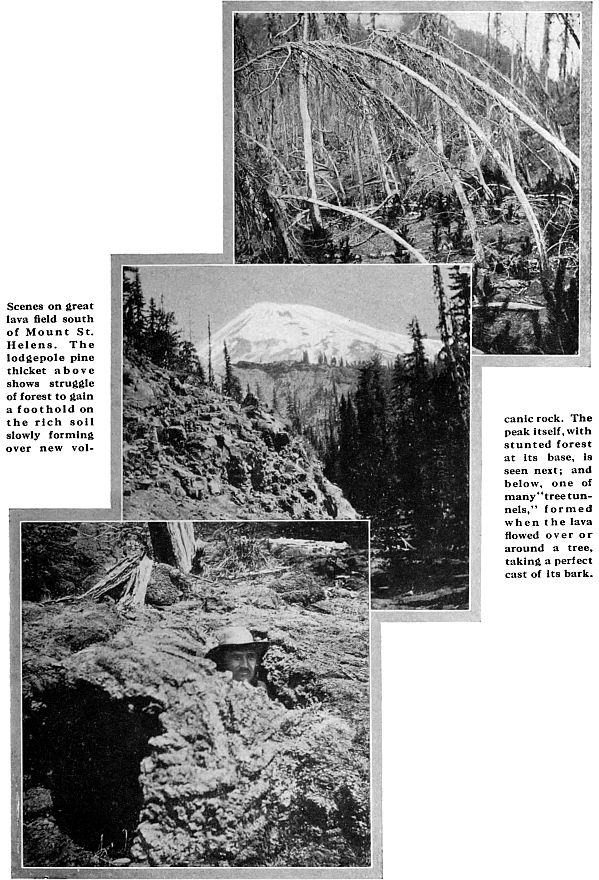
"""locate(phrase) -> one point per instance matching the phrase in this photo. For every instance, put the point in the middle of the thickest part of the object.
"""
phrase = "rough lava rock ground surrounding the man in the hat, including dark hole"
(135, 745)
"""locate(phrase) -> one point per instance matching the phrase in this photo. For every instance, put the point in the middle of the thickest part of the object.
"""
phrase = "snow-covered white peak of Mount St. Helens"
(268, 332)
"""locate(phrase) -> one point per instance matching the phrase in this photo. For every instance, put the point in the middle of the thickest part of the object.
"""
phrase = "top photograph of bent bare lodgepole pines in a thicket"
(419, 137)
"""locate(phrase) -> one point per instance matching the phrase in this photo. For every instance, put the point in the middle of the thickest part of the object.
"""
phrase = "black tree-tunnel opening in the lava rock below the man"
(86, 748)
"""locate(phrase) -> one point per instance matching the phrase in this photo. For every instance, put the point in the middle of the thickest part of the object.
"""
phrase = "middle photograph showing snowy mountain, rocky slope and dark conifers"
(261, 393)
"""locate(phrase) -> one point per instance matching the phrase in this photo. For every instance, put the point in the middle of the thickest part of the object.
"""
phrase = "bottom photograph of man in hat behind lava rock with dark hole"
(195, 694)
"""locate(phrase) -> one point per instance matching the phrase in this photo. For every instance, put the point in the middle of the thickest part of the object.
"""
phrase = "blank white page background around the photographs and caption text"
(113, 144)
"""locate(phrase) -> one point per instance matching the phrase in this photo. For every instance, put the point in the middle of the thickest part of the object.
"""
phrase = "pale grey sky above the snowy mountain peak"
(384, 296)
